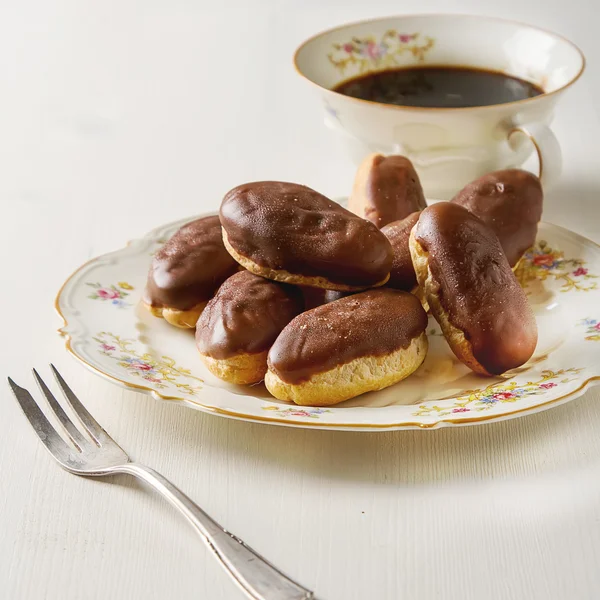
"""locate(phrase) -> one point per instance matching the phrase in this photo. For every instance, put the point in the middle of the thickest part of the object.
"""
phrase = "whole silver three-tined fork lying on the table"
(99, 455)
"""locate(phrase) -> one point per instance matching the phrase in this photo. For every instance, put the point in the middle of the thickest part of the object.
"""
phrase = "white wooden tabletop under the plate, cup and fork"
(118, 116)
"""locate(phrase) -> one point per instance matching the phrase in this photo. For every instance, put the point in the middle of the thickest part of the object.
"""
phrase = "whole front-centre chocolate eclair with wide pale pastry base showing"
(360, 343)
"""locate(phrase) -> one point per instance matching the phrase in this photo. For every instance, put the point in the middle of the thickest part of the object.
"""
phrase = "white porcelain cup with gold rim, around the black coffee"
(448, 146)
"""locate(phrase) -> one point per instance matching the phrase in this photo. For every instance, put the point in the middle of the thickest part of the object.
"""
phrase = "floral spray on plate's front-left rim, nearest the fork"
(162, 371)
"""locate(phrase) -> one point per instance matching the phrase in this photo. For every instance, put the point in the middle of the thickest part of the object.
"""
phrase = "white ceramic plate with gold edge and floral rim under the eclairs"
(107, 330)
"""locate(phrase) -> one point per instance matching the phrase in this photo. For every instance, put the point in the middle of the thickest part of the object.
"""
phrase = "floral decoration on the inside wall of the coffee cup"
(369, 53)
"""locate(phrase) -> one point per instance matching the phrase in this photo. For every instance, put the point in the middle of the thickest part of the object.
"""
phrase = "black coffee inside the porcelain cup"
(439, 87)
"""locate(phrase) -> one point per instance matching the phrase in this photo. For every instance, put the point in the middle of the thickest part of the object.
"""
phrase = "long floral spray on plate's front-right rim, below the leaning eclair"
(498, 393)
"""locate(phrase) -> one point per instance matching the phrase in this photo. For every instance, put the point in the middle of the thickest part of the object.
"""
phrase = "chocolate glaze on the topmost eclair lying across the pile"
(285, 226)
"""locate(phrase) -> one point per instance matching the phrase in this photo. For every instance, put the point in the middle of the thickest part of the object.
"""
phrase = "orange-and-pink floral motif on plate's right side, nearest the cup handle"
(542, 262)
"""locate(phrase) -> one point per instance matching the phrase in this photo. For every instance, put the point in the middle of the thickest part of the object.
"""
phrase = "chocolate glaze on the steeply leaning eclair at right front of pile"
(477, 287)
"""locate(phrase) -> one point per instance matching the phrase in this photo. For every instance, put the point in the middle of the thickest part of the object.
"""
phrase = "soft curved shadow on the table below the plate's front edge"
(549, 441)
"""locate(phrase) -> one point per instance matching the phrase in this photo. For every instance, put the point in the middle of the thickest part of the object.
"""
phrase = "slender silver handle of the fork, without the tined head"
(257, 577)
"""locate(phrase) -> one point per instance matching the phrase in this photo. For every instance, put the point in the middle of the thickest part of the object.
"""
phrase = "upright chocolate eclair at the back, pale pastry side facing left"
(386, 189)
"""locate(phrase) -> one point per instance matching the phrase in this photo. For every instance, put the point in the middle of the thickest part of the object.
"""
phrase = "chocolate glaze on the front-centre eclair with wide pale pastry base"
(372, 323)
